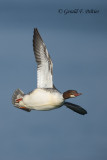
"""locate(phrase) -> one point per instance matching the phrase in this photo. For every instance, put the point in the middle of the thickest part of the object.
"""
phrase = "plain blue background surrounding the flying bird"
(77, 43)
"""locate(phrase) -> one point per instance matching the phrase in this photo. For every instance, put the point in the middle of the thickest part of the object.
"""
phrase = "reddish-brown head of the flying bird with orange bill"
(71, 94)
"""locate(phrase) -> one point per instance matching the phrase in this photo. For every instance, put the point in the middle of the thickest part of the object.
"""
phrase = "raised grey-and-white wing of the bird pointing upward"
(44, 63)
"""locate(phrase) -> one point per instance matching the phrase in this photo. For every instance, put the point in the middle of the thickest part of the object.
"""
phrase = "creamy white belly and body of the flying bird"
(41, 99)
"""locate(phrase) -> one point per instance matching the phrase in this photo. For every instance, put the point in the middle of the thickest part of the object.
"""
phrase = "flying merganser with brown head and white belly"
(46, 96)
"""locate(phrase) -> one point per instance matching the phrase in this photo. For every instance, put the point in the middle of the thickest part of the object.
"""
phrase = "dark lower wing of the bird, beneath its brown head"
(75, 108)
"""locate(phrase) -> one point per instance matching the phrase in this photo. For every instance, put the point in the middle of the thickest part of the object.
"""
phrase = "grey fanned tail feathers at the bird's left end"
(17, 95)
